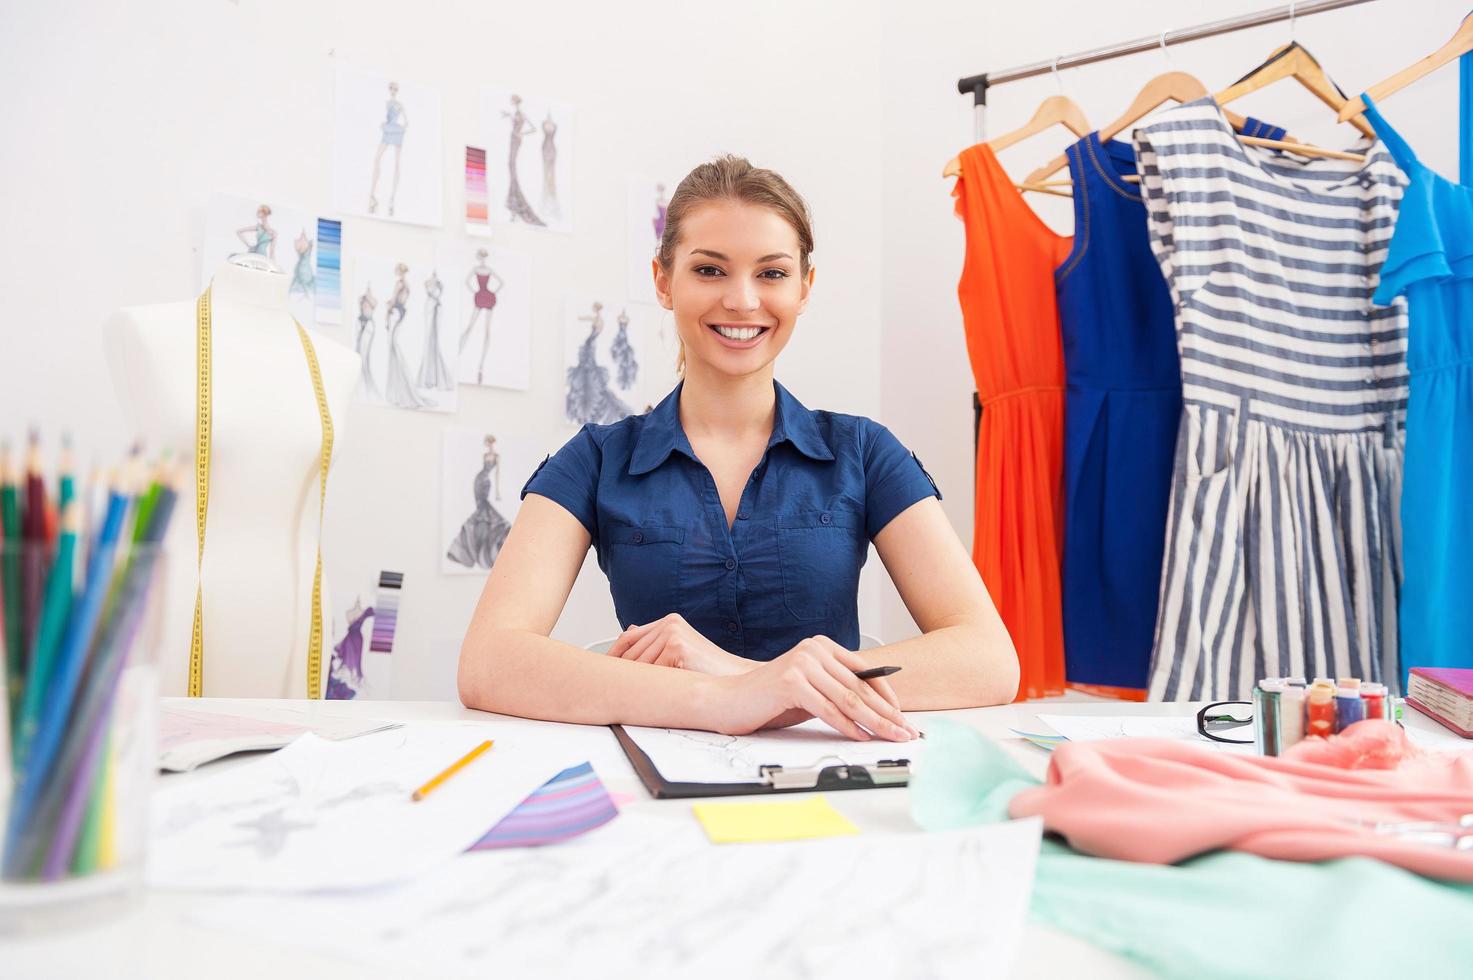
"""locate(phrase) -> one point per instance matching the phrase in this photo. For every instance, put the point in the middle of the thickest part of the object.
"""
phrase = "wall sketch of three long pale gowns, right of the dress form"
(400, 334)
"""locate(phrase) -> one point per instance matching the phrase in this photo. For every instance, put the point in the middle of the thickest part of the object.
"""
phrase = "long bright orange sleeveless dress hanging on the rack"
(1017, 354)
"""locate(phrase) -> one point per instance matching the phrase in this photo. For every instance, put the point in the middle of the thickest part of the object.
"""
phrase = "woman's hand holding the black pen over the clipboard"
(814, 680)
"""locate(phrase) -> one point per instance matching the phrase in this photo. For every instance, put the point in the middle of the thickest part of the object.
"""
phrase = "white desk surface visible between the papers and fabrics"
(154, 941)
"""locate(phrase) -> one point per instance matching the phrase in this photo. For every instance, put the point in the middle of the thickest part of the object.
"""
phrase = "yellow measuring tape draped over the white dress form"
(203, 431)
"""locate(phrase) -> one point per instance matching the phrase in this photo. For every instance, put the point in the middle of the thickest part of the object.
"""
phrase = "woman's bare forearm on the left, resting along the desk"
(527, 674)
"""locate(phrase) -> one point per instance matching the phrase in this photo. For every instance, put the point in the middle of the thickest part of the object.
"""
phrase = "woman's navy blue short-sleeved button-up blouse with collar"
(784, 571)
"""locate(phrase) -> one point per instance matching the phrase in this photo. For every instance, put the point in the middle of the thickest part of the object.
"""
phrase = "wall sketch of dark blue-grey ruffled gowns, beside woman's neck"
(621, 360)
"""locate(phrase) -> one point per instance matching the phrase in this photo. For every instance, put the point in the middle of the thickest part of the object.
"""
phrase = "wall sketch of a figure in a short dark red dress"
(490, 303)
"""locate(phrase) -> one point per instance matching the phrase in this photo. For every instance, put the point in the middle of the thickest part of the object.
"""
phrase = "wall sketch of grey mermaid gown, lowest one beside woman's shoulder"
(484, 472)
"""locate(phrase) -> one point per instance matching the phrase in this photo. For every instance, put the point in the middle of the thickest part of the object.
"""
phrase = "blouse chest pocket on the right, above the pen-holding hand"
(817, 550)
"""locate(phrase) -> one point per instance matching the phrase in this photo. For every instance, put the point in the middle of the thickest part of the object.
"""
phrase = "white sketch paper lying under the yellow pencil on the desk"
(338, 814)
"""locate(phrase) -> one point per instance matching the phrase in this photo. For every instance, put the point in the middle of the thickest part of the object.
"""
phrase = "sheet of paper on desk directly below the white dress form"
(189, 739)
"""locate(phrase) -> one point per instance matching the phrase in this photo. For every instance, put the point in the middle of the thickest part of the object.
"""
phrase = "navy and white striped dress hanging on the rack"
(1284, 543)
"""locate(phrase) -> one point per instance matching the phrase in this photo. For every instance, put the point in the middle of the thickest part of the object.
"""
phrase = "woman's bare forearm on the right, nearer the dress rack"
(955, 667)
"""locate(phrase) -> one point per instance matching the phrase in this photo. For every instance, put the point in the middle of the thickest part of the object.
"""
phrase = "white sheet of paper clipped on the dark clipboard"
(703, 757)
